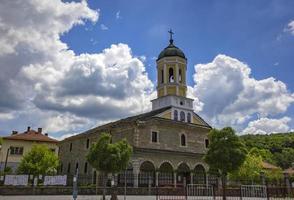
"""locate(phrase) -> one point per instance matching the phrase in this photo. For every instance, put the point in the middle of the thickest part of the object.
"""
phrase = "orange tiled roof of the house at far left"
(31, 135)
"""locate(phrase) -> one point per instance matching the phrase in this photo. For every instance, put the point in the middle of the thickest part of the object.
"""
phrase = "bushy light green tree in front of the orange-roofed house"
(40, 160)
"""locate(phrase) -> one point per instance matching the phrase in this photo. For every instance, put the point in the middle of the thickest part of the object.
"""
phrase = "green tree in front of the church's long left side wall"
(109, 158)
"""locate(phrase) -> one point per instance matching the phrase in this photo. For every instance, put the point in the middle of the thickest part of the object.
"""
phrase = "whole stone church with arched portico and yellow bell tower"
(168, 142)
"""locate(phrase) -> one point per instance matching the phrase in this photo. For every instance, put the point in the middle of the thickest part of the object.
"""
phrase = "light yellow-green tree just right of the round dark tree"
(250, 169)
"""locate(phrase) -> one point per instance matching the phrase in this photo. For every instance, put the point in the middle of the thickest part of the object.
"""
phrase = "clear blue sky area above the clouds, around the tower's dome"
(251, 31)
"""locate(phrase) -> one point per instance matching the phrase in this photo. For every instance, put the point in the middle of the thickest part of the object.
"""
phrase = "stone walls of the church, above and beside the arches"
(139, 136)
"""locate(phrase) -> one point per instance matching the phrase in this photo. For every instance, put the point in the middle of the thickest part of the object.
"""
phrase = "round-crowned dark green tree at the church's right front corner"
(226, 153)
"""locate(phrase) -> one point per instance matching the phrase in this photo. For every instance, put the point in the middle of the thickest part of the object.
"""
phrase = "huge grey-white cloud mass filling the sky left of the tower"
(44, 83)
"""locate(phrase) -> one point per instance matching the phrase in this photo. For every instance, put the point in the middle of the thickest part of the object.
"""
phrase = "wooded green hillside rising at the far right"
(276, 148)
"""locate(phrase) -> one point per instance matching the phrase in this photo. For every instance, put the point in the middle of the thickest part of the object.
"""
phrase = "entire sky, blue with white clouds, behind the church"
(68, 66)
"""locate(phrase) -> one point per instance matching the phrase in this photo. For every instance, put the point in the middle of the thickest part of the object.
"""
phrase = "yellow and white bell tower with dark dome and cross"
(171, 80)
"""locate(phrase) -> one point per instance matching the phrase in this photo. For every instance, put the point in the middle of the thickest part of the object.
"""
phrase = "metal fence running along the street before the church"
(166, 187)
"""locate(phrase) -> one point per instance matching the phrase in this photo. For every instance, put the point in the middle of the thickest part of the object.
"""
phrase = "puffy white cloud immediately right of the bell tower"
(229, 96)
